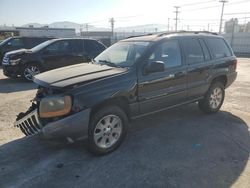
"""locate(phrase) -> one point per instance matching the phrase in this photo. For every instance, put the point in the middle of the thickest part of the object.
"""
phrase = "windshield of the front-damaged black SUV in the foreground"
(122, 54)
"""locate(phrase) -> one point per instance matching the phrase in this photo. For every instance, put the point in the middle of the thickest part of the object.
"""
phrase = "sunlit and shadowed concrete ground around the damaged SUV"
(181, 147)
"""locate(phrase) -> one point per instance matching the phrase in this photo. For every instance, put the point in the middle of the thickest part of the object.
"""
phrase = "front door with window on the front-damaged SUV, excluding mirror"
(160, 90)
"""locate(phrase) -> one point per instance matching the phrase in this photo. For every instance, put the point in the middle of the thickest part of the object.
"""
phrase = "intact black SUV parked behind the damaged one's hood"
(49, 55)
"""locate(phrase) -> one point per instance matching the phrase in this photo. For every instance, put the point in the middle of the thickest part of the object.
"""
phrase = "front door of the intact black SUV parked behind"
(56, 54)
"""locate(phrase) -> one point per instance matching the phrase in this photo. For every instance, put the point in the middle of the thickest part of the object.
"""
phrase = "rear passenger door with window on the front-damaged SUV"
(199, 65)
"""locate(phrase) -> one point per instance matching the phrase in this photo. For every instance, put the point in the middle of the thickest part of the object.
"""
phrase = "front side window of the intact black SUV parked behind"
(59, 47)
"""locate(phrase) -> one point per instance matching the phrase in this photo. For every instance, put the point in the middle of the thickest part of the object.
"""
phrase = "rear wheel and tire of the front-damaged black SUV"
(213, 99)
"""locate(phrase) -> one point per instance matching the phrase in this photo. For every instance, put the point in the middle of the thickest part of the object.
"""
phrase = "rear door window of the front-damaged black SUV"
(193, 51)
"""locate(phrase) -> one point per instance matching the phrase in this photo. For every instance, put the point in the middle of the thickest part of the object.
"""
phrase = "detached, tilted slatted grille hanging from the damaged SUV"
(30, 124)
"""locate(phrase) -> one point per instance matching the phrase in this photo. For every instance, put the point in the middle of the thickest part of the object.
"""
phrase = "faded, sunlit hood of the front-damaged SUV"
(71, 75)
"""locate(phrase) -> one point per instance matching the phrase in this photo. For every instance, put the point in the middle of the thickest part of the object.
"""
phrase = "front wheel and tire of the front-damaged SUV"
(107, 130)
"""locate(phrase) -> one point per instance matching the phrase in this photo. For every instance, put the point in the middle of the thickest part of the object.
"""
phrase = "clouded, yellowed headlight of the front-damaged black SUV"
(55, 106)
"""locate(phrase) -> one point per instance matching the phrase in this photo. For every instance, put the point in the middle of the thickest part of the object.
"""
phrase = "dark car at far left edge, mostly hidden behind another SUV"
(15, 43)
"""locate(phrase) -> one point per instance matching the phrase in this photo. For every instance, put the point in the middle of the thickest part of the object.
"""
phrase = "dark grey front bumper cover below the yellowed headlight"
(74, 126)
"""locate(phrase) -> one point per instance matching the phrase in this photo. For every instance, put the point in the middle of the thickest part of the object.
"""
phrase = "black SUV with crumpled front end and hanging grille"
(132, 78)
